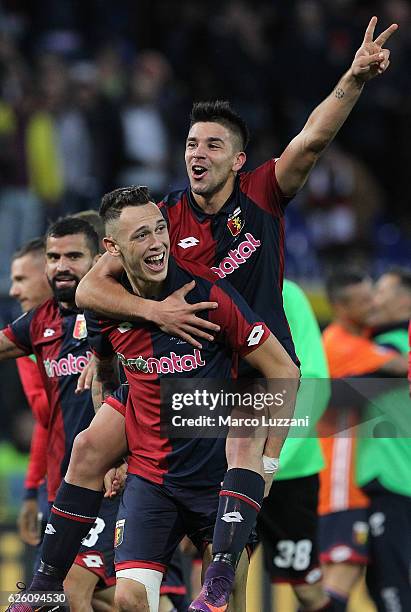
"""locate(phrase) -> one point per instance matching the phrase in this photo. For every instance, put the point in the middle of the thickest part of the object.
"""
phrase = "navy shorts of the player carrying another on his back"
(153, 519)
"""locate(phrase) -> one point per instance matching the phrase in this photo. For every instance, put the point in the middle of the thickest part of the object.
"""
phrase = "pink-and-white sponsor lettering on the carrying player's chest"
(165, 365)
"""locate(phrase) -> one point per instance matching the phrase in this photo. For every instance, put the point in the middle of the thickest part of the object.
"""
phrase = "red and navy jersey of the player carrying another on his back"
(148, 355)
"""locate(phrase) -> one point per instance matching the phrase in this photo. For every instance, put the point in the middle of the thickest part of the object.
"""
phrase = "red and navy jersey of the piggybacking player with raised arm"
(243, 242)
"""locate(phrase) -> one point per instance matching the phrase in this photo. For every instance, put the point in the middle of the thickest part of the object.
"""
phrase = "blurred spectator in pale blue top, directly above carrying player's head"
(145, 130)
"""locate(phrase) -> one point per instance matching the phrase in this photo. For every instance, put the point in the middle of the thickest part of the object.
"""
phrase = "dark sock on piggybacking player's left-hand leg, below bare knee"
(72, 515)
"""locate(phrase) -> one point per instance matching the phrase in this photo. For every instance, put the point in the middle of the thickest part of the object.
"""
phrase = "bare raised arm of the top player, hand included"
(296, 162)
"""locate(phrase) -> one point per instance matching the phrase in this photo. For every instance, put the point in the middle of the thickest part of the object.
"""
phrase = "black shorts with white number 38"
(287, 526)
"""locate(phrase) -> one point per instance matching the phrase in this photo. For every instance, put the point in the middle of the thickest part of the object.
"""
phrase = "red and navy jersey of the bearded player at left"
(58, 338)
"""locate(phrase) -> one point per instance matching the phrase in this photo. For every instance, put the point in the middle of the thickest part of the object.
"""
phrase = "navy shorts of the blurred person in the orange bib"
(343, 537)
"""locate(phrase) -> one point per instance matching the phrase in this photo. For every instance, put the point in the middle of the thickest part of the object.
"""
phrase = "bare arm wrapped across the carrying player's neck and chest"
(101, 292)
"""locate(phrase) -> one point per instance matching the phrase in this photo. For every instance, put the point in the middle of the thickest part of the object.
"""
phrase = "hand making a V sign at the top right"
(371, 58)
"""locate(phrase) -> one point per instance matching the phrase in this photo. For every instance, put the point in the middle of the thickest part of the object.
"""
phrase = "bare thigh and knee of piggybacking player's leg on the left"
(102, 443)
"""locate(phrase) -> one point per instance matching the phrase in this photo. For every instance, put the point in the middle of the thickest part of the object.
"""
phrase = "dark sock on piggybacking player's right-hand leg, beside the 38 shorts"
(241, 497)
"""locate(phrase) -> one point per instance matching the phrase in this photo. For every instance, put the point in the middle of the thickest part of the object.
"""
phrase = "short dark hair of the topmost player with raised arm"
(220, 111)
